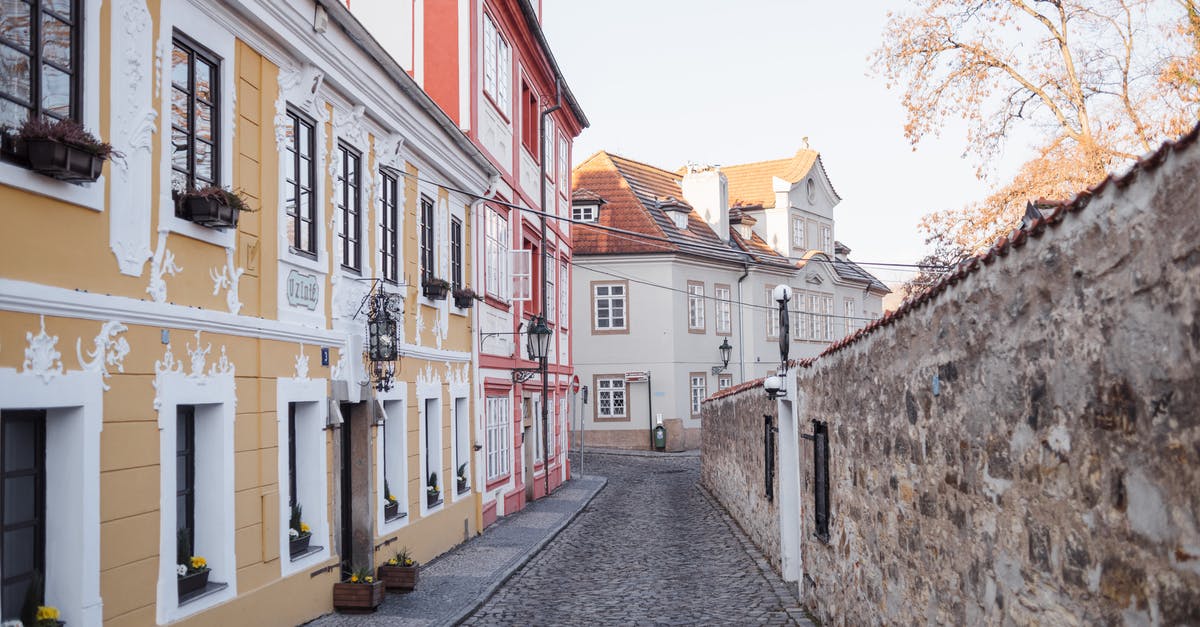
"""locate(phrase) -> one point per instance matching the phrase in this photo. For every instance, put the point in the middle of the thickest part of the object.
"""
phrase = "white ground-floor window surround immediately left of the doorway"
(313, 479)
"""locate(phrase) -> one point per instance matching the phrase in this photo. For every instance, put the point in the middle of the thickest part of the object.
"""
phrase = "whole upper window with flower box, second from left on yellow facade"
(195, 129)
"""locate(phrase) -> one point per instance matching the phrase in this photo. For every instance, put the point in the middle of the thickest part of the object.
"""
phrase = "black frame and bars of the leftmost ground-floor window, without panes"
(38, 522)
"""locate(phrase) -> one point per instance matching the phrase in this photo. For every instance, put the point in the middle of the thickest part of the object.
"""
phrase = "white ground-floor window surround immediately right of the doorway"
(394, 404)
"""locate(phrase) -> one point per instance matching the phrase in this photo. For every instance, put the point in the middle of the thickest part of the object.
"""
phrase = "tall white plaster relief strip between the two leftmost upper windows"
(133, 123)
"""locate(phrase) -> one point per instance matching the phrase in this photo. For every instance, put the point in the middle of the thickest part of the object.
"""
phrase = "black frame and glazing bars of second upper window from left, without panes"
(196, 51)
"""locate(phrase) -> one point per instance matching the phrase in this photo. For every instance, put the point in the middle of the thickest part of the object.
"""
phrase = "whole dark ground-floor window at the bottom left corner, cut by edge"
(23, 505)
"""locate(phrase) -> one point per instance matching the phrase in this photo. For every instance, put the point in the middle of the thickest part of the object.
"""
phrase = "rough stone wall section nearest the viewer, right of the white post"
(1055, 476)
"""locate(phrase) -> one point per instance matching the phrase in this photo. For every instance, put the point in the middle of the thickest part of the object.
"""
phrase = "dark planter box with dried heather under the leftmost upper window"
(62, 150)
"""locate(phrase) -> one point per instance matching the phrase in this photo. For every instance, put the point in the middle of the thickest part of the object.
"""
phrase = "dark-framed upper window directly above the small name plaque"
(301, 198)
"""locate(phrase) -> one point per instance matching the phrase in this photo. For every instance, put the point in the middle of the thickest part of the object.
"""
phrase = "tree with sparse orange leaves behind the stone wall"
(1100, 82)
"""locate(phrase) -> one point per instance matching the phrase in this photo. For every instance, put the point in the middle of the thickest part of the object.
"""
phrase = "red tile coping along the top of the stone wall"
(1017, 240)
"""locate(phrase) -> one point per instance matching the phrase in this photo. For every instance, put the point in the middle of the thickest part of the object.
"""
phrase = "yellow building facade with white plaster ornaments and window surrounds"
(167, 381)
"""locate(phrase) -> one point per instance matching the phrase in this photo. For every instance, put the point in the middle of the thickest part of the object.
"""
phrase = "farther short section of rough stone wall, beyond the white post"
(731, 467)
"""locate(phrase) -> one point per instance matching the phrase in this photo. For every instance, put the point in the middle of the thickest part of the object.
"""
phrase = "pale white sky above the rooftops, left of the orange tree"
(730, 82)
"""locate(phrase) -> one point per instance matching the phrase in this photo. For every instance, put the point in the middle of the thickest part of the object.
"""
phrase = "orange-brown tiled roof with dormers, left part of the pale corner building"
(634, 194)
